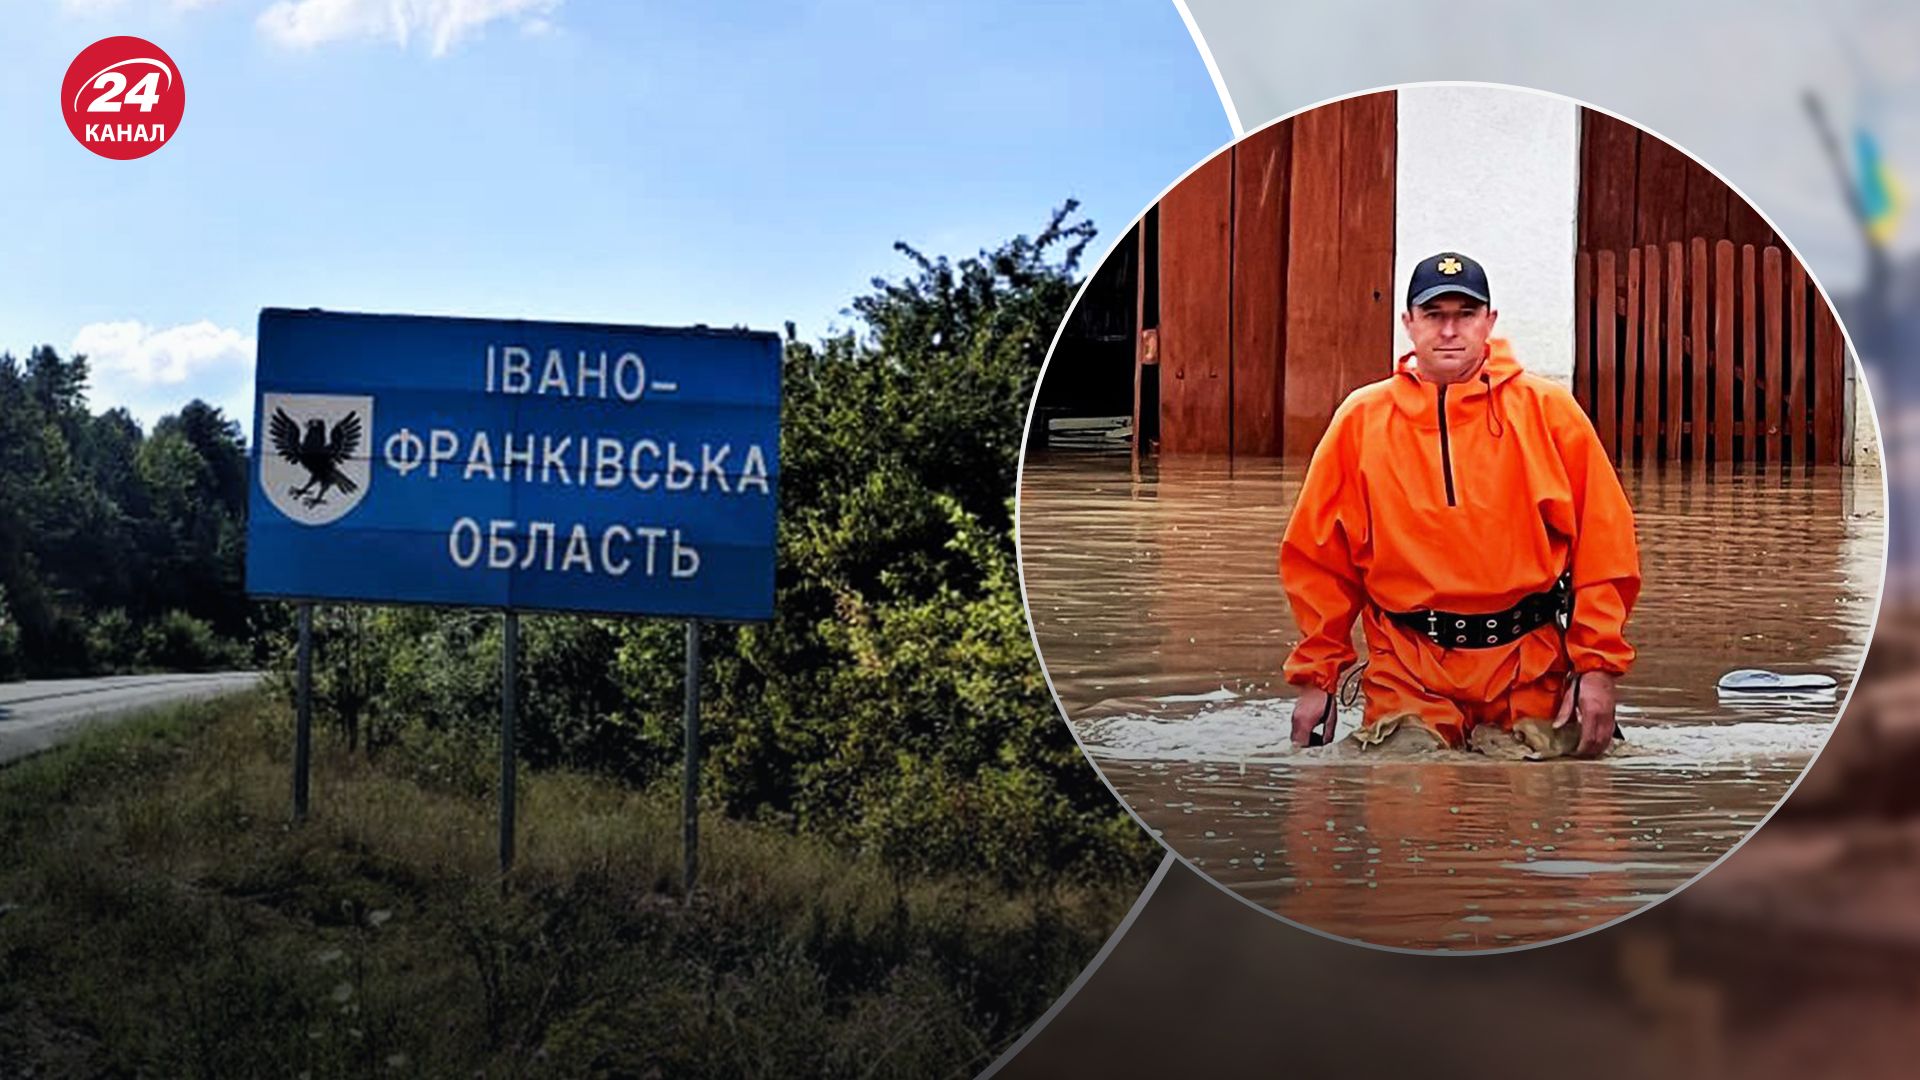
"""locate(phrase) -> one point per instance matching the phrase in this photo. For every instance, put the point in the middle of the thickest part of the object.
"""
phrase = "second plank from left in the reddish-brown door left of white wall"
(1260, 176)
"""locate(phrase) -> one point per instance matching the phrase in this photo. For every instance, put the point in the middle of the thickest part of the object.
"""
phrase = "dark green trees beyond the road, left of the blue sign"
(97, 518)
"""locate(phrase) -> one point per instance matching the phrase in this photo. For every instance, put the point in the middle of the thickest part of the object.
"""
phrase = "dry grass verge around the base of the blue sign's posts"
(162, 918)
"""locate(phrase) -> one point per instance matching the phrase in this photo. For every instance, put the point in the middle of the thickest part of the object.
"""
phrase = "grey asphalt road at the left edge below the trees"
(36, 716)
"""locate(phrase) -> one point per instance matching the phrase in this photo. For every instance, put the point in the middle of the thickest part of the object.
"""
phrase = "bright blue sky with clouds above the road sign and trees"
(560, 160)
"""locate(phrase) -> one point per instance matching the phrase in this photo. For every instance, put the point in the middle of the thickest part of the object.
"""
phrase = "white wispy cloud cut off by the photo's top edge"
(443, 24)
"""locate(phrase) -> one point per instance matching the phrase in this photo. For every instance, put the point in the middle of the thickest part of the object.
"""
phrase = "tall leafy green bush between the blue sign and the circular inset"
(896, 700)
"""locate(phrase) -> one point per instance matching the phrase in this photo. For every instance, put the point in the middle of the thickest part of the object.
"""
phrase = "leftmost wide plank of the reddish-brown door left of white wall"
(1197, 310)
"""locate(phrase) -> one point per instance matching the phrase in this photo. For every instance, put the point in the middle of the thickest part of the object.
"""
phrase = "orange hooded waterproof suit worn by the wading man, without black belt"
(1458, 499)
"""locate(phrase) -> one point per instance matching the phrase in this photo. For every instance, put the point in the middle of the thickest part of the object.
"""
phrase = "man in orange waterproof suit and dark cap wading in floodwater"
(1470, 518)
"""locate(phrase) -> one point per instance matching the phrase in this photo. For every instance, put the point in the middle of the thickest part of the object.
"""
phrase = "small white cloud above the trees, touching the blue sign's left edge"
(155, 372)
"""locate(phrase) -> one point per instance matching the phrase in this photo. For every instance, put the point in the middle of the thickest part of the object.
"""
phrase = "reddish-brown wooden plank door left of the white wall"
(1276, 282)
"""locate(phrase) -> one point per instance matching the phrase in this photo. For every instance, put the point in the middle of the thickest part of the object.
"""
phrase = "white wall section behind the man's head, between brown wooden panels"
(1497, 176)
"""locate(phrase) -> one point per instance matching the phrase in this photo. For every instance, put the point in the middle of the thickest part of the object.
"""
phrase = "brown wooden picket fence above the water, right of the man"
(1708, 355)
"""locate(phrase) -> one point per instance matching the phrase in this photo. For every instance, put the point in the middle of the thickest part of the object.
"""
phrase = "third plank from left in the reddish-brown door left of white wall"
(1314, 316)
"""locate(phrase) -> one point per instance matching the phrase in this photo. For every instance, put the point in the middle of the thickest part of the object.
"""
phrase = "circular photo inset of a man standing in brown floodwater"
(1452, 518)
